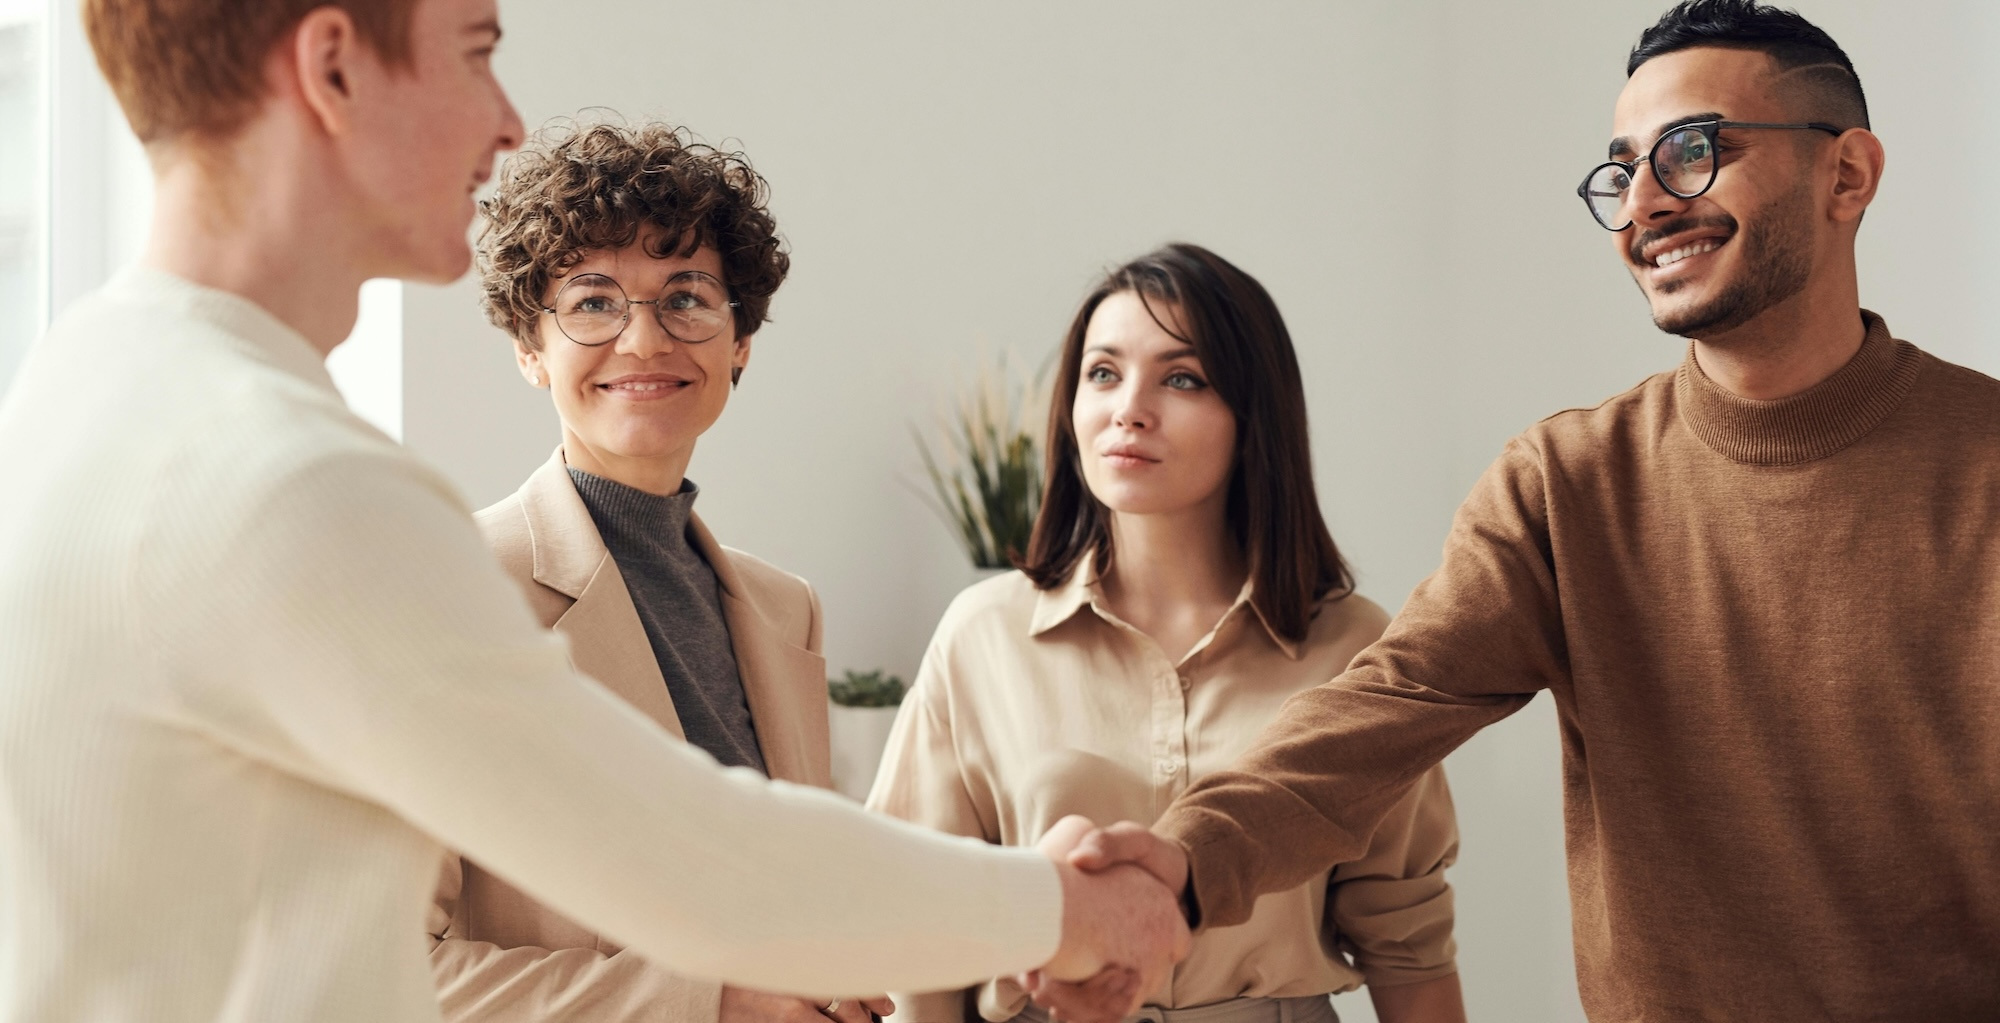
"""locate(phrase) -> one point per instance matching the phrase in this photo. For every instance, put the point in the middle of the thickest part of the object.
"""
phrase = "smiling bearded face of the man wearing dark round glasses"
(1749, 243)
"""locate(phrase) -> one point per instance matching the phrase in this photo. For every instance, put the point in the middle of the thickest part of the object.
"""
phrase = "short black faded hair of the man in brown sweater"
(1815, 67)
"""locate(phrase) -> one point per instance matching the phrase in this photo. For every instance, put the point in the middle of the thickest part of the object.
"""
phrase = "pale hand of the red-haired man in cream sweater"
(1121, 934)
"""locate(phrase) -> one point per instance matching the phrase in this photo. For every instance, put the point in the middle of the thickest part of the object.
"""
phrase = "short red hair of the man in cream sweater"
(195, 69)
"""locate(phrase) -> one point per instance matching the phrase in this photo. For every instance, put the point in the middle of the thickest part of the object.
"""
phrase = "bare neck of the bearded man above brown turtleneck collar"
(1787, 349)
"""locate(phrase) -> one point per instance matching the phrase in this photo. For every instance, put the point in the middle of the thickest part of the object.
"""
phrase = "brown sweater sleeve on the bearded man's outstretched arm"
(1473, 644)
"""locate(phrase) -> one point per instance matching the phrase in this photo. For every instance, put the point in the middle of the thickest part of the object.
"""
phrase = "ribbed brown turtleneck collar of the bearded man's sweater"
(1811, 425)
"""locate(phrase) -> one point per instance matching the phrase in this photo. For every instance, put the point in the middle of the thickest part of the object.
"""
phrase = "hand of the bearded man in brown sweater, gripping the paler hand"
(1115, 992)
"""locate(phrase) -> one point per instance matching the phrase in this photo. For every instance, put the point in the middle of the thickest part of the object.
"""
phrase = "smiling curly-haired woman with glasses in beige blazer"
(633, 269)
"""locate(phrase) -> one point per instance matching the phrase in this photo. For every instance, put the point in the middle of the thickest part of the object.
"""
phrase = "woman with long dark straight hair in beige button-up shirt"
(1181, 584)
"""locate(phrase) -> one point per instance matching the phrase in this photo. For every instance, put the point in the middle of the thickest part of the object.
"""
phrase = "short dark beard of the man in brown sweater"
(1777, 263)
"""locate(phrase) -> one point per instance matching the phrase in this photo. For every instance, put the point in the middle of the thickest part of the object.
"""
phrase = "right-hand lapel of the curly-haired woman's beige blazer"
(783, 682)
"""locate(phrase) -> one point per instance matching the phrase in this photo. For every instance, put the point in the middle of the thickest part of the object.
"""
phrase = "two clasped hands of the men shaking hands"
(1123, 928)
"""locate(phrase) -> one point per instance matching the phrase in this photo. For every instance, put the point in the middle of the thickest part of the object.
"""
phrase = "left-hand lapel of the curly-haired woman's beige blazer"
(607, 638)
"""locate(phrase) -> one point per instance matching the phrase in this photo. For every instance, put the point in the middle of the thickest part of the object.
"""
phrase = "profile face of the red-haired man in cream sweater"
(431, 137)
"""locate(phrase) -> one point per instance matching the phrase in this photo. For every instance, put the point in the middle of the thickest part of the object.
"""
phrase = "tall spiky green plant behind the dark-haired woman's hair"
(987, 479)
